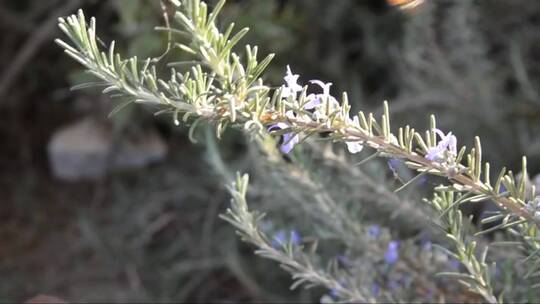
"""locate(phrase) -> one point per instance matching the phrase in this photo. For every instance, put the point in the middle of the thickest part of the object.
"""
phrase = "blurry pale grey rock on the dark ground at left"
(83, 151)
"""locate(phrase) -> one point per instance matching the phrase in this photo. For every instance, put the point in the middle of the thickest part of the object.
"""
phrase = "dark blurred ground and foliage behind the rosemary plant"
(126, 208)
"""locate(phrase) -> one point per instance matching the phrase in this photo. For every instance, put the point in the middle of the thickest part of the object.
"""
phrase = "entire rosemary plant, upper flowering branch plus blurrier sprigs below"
(225, 89)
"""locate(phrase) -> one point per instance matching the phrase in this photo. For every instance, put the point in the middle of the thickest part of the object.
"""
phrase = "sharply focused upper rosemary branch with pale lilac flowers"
(222, 90)
